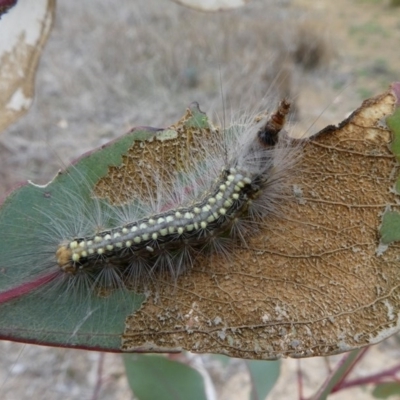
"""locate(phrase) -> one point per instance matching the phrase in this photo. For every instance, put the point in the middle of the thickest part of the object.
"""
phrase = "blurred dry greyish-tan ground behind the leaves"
(109, 66)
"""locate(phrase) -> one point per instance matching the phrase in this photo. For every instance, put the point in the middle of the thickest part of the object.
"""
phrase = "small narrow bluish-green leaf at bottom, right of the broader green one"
(263, 376)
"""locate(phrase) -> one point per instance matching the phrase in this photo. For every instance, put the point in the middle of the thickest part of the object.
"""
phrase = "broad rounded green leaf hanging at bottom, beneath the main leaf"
(157, 377)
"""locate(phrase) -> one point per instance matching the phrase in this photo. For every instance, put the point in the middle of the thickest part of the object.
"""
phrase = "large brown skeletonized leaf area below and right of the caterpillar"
(311, 284)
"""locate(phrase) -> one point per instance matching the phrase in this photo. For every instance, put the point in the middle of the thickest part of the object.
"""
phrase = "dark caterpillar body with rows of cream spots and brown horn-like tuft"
(168, 238)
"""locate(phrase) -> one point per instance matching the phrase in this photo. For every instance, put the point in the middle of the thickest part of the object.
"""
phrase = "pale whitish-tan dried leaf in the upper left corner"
(23, 32)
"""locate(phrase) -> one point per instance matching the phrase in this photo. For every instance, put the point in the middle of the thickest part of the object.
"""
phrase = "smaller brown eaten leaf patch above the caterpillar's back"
(150, 163)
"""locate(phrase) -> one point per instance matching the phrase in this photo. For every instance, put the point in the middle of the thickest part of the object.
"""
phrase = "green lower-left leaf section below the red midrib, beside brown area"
(95, 323)
